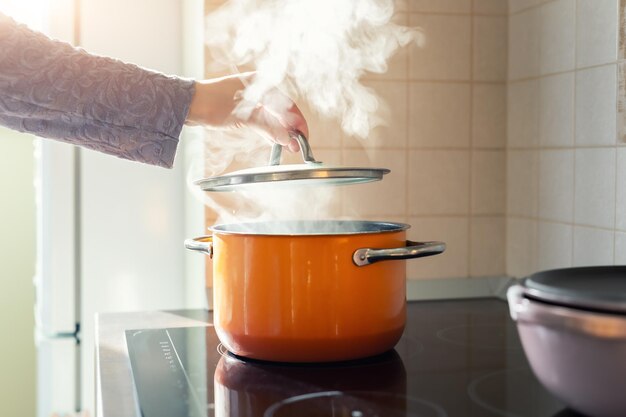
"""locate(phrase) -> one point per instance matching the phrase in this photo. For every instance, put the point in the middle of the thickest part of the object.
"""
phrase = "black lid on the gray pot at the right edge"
(601, 288)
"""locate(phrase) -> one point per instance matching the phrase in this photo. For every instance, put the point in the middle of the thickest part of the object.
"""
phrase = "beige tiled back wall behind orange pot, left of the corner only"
(445, 141)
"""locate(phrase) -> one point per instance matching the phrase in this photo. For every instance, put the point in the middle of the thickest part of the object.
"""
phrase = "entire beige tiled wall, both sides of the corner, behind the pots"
(506, 136)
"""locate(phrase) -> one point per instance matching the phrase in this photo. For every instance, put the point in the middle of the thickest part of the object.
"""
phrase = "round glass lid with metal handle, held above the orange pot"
(311, 172)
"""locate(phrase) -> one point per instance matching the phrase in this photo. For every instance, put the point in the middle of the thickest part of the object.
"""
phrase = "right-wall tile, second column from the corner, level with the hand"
(556, 110)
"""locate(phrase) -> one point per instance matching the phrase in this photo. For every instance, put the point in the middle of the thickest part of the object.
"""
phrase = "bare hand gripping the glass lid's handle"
(219, 104)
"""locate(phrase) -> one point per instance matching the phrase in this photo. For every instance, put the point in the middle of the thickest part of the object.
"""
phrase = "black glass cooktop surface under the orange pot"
(456, 359)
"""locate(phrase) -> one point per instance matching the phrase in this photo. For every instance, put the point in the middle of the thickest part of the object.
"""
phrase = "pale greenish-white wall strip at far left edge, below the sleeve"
(17, 268)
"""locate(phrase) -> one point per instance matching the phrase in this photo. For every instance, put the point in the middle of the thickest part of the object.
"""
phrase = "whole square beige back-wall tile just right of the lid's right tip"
(438, 182)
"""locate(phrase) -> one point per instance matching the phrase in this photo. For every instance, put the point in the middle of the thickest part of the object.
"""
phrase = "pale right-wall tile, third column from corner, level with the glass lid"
(595, 187)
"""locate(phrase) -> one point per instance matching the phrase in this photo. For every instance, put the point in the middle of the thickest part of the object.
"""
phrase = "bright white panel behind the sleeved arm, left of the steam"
(132, 215)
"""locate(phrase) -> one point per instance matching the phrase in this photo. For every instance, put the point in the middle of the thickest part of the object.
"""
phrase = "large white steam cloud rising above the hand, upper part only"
(319, 48)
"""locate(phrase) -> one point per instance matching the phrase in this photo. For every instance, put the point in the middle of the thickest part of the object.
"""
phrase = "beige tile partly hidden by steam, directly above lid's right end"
(392, 112)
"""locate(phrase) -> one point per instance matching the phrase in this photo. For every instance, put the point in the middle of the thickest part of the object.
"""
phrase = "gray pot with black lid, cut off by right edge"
(572, 324)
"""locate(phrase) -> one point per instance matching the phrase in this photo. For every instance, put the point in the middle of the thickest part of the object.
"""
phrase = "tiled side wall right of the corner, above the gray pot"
(566, 165)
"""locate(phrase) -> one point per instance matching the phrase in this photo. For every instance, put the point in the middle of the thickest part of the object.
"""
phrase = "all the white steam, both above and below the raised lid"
(317, 51)
